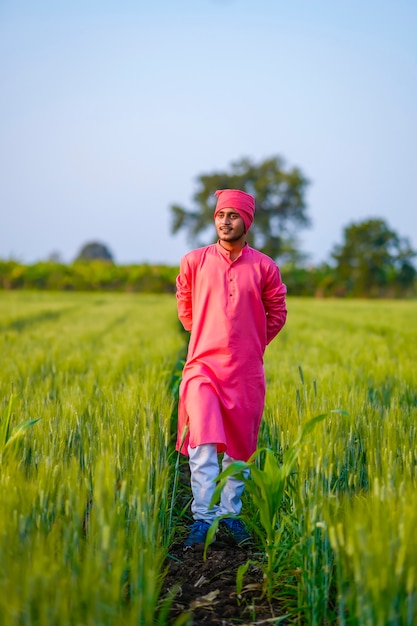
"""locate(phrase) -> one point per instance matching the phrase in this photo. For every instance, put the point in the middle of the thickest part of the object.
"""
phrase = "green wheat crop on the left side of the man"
(83, 525)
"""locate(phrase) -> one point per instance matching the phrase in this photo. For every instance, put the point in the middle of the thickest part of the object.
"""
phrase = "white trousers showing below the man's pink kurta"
(204, 467)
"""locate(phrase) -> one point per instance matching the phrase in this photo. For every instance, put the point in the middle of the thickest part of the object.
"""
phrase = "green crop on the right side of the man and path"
(347, 546)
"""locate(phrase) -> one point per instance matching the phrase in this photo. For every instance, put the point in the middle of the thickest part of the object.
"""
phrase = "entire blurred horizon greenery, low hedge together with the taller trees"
(372, 261)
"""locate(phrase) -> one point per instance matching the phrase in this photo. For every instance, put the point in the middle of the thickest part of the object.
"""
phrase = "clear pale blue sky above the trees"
(110, 111)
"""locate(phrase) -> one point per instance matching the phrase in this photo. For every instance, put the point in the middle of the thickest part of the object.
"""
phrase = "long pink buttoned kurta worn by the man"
(233, 310)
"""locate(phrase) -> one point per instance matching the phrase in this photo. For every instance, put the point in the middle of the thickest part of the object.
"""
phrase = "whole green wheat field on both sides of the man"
(88, 507)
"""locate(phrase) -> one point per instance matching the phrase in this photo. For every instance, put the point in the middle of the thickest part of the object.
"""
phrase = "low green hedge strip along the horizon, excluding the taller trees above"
(368, 281)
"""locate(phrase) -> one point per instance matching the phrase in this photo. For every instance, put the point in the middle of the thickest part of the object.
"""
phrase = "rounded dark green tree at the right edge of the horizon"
(374, 260)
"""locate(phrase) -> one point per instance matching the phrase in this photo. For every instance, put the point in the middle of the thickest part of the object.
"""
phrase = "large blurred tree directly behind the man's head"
(280, 205)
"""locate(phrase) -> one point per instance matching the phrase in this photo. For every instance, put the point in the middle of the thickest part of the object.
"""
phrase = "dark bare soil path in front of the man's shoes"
(207, 588)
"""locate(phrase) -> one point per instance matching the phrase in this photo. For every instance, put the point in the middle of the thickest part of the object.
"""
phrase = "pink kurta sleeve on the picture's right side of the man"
(273, 297)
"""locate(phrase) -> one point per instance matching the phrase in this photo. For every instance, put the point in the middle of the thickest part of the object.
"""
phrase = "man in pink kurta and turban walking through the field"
(232, 299)
